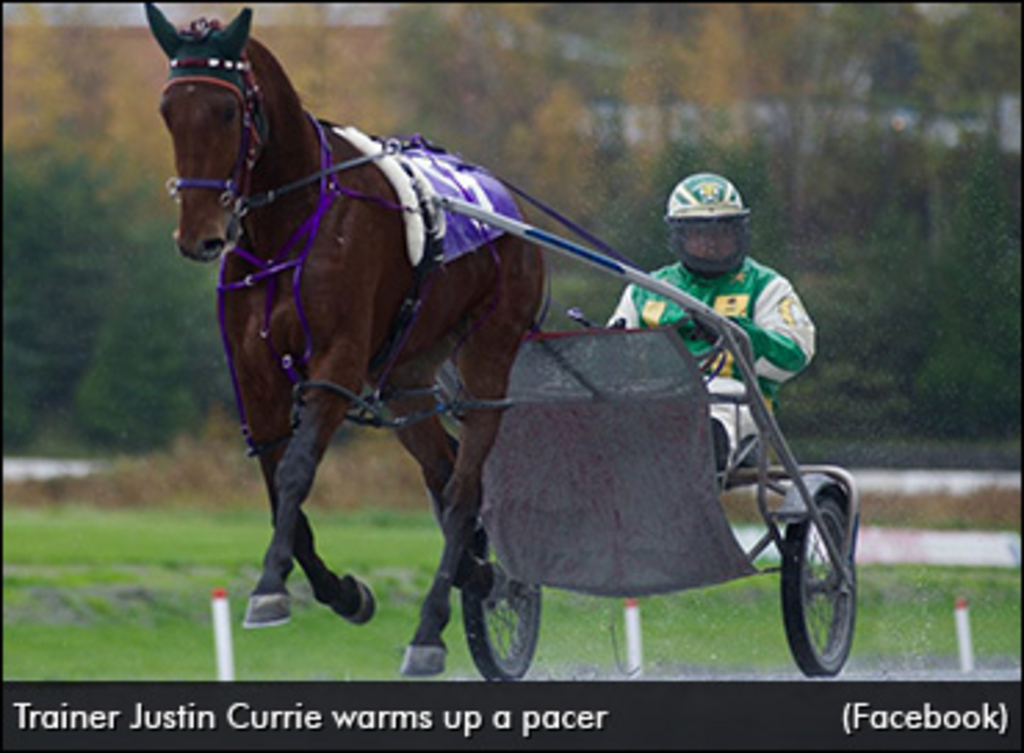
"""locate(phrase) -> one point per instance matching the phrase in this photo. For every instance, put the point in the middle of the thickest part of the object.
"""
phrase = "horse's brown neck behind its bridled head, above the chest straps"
(292, 152)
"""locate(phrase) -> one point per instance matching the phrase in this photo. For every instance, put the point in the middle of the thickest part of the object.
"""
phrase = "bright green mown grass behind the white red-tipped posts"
(123, 595)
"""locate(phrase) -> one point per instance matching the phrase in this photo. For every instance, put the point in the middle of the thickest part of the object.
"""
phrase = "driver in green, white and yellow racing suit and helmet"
(709, 232)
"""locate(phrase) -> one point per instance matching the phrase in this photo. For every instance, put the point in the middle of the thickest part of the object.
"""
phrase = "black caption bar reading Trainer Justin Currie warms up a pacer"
(522, 717)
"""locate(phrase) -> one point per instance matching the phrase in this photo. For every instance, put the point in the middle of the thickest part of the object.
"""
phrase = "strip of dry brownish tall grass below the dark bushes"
(370, 471)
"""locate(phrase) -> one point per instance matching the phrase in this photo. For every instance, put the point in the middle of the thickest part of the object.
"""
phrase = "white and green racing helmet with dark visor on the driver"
(709, 227)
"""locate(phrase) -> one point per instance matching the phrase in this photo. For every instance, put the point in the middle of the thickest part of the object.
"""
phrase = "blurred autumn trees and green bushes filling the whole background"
(906, 248)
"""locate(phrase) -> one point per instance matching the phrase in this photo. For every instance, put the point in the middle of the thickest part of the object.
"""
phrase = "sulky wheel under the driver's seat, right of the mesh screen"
(819, 608)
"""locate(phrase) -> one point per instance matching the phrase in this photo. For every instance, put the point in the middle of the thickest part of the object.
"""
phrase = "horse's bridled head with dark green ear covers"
(211, 109)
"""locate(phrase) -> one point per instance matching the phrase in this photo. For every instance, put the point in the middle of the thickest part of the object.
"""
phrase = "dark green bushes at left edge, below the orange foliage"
(104, 324)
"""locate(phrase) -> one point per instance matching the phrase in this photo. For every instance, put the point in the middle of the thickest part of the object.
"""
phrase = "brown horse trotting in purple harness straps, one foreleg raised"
(316, 284)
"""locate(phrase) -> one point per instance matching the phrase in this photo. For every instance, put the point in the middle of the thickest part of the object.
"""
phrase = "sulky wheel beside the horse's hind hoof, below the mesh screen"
(503, 626)
